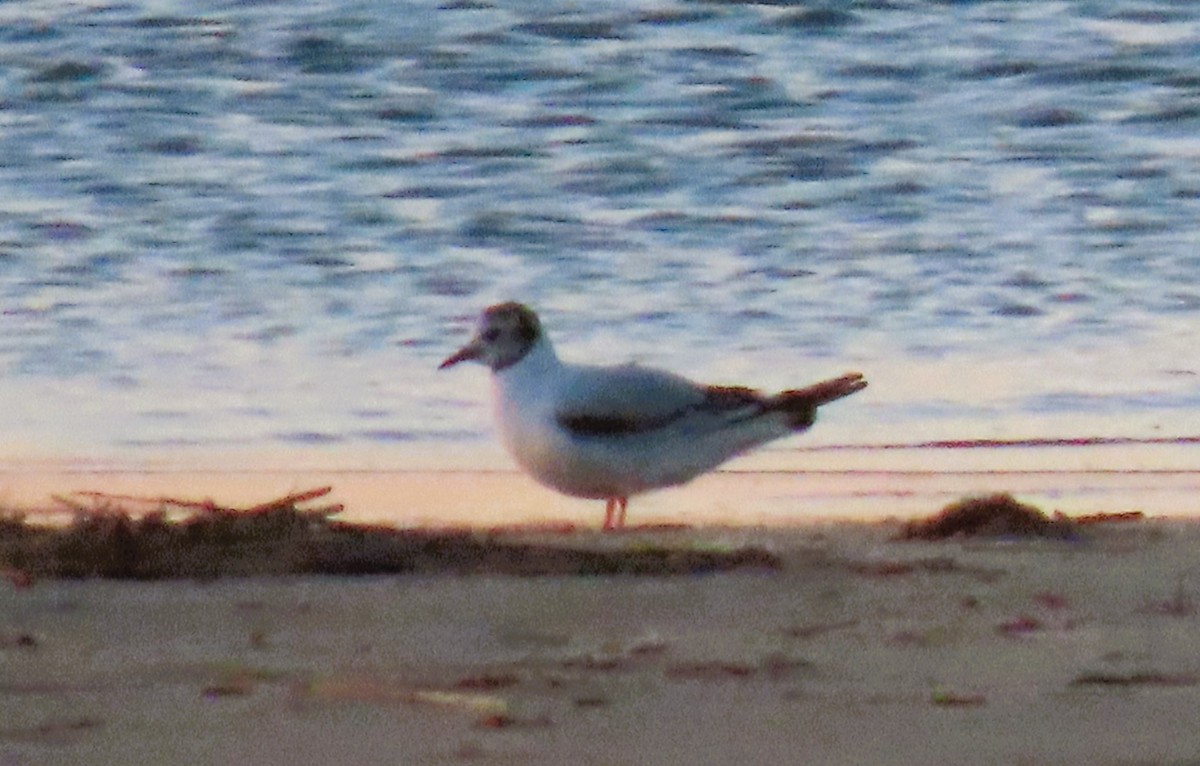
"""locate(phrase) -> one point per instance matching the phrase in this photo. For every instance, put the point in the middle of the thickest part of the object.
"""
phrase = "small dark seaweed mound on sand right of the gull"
(994, 516)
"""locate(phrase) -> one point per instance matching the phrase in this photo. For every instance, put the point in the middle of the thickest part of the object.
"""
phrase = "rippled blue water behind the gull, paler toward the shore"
(262, 228)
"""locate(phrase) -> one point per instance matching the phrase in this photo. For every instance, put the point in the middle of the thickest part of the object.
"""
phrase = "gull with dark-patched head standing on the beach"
(614, 433)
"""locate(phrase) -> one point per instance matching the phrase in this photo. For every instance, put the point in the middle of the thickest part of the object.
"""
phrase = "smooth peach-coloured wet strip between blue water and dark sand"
(745, 496)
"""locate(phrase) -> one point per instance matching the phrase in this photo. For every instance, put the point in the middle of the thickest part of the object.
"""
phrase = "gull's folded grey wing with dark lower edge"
(627, 400)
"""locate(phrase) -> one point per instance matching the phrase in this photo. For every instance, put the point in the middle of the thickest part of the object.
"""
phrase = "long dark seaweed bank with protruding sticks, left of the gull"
(279, 538)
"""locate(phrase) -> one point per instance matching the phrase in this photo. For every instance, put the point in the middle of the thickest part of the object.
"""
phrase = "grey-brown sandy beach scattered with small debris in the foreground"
(857, 649)
